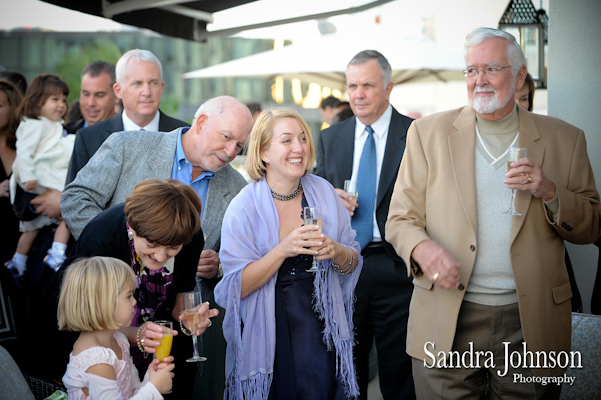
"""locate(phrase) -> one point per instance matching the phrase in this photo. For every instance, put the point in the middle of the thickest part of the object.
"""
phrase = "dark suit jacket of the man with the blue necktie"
(335, 149)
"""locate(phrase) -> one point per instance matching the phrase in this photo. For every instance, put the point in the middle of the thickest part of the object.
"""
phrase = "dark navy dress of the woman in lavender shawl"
(303, 368)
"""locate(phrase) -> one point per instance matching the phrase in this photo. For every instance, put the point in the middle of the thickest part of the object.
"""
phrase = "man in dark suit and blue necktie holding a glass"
(384, 290)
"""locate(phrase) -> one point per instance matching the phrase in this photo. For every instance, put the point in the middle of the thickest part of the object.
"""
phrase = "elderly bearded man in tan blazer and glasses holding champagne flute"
(492, 294)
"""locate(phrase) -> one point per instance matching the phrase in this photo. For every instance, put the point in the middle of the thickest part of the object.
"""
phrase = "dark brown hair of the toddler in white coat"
(38, 92)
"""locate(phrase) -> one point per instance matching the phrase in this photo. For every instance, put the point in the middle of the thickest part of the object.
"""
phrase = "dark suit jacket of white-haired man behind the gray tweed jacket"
(89, 140)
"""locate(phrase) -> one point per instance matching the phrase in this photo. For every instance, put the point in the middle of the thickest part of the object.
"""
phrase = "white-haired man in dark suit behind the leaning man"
(140, 86)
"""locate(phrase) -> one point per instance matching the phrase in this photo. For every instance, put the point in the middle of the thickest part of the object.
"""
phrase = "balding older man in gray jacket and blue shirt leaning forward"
(198, 156)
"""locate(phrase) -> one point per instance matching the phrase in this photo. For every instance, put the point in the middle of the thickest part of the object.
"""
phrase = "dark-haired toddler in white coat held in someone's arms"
(43, 154)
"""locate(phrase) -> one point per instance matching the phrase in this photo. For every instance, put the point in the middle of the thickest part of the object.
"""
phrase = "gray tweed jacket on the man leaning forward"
(124, 160)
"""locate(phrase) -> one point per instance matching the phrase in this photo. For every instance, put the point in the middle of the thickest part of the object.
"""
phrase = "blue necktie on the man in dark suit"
(362, 221)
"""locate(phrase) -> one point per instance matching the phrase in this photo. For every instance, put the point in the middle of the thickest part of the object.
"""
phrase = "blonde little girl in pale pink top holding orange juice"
(96, 299)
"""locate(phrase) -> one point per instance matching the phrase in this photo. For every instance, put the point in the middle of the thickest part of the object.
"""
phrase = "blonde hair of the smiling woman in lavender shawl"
(260, 138)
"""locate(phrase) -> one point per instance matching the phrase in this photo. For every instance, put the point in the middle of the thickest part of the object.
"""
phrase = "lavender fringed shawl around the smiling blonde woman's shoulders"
(250, 230)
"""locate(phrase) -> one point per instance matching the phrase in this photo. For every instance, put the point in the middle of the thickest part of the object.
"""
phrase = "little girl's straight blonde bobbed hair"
(90, 293)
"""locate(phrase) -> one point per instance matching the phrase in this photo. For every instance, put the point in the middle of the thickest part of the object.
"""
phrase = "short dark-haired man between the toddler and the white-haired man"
(96, 98)
